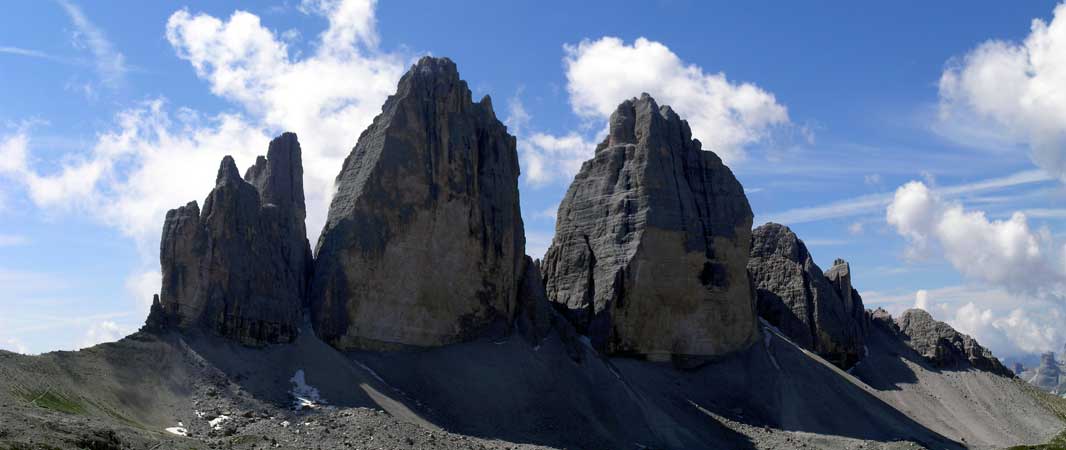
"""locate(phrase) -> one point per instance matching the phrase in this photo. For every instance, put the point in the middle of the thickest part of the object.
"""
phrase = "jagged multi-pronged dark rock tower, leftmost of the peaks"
(240, 267)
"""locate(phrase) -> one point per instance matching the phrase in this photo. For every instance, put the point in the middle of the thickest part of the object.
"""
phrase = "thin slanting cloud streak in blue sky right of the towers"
(877, 203)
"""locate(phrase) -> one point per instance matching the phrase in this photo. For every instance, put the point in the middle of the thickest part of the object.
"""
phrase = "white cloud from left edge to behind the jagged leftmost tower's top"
(134, 174)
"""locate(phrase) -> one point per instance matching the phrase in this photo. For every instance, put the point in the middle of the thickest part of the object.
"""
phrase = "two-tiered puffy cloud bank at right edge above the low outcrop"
(1021, 271)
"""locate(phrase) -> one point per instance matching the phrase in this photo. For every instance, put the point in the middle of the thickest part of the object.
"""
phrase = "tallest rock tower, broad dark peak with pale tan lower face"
(425, 242)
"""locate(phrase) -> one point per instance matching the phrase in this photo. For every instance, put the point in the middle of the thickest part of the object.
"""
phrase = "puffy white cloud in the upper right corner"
(1014, 92)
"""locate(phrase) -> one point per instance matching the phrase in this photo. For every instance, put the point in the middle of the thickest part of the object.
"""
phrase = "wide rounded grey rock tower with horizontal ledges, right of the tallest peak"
(652, 243)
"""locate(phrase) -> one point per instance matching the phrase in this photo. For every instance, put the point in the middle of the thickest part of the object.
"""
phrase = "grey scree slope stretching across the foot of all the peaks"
(147, 392)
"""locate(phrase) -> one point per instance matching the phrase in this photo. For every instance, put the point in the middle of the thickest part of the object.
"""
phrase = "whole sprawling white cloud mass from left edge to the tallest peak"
(156, 157)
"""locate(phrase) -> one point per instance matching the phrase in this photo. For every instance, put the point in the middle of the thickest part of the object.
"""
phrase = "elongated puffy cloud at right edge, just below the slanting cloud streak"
(1006, 253)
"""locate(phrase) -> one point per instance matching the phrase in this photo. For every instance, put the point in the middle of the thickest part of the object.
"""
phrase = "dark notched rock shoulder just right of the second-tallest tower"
(819, 312)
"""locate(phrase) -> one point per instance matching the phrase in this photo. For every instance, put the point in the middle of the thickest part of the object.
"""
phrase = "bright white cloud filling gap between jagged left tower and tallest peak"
(328, 99)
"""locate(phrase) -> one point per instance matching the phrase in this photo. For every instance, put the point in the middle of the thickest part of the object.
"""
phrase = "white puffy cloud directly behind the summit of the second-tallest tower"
(726, 117)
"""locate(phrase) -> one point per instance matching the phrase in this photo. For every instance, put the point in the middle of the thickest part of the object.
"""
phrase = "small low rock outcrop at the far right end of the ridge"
(944, 347)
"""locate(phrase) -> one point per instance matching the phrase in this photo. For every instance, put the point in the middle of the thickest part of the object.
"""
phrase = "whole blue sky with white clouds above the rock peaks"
(903, 137)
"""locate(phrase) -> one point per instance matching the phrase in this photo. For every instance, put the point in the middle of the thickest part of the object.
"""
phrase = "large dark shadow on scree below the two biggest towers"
(472, 389)
